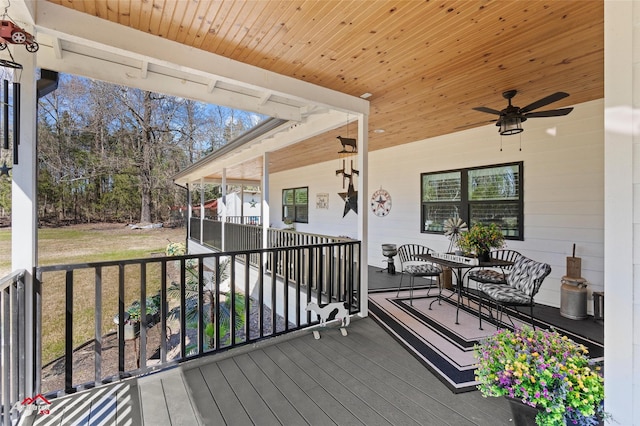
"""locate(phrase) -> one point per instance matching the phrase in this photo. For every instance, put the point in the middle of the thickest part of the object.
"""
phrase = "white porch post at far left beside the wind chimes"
(24, 229)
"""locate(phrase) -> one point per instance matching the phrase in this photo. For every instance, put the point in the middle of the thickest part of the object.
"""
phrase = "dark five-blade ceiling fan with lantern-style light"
(511, 118)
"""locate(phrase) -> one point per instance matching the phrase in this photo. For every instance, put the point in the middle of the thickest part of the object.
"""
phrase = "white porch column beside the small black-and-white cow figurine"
(363, 216)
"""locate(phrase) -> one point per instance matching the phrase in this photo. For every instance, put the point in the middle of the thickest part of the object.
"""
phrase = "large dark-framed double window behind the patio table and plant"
(488, 194)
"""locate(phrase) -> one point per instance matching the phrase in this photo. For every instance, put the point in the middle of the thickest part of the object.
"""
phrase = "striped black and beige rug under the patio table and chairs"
(443, 346)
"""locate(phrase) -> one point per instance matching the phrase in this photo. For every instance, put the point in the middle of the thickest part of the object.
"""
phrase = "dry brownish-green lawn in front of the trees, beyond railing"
(82, 244)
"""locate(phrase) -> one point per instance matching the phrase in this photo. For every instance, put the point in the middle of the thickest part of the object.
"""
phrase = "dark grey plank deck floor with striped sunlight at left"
(364, 378)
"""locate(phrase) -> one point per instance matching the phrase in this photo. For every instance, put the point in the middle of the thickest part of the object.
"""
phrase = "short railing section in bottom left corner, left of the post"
(16, 377)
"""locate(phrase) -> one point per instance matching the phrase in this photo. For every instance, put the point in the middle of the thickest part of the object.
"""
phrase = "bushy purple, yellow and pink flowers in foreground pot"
(543, 371)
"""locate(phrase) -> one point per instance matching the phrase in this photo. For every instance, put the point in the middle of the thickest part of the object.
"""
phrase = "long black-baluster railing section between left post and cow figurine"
(202, 304)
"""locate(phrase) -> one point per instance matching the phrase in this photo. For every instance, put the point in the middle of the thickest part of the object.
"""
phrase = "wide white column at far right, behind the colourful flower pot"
(622, 212)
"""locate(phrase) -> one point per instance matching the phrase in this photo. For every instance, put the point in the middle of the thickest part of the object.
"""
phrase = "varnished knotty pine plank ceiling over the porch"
(425, 63)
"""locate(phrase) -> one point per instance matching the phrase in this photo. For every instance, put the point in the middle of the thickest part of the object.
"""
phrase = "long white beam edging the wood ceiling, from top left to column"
(103, 35)
